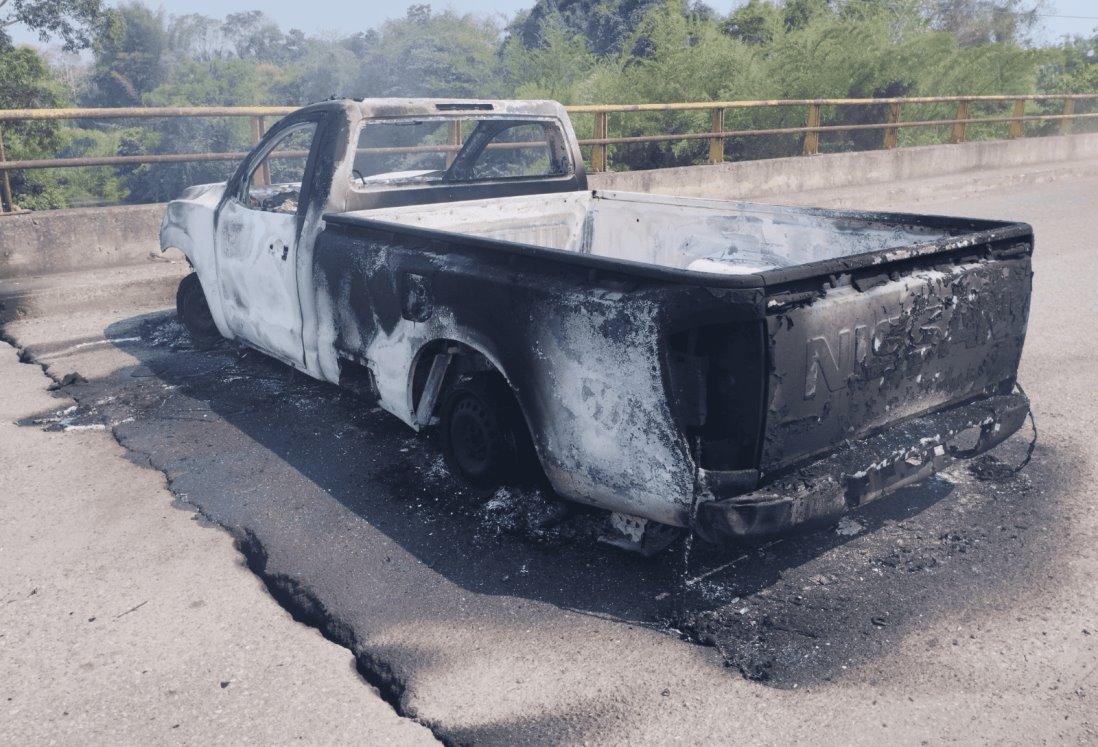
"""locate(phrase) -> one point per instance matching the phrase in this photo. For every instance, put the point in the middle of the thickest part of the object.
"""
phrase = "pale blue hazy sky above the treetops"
(1062, 18)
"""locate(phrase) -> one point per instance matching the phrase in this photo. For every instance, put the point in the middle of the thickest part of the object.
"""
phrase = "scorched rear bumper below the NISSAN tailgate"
(864, 471)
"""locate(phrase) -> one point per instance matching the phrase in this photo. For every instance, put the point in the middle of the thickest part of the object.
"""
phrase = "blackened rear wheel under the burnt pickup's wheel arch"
(484, 434)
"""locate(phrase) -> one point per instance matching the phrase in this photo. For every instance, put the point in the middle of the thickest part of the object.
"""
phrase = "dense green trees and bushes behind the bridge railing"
(574, 51)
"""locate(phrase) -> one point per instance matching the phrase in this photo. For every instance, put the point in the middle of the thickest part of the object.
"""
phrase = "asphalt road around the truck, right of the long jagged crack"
(960, 611)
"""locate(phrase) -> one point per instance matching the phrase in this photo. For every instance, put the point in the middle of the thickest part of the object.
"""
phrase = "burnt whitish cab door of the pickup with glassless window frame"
(259, 232)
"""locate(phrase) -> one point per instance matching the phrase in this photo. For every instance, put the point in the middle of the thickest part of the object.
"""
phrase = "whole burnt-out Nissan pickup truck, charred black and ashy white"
(729, 367)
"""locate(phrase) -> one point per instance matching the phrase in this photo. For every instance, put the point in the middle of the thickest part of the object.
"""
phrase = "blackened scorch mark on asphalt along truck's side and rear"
(804, 610)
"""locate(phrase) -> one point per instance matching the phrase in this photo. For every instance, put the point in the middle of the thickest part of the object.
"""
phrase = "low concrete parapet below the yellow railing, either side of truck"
(66, 241)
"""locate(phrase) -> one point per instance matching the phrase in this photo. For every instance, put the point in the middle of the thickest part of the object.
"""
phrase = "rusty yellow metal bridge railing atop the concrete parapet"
(969, 118)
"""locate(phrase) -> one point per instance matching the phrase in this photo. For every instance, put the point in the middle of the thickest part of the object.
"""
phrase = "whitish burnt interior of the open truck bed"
(678, 233)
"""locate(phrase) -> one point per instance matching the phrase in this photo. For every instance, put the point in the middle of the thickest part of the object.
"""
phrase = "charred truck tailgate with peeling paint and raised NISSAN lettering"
(883, 339)
